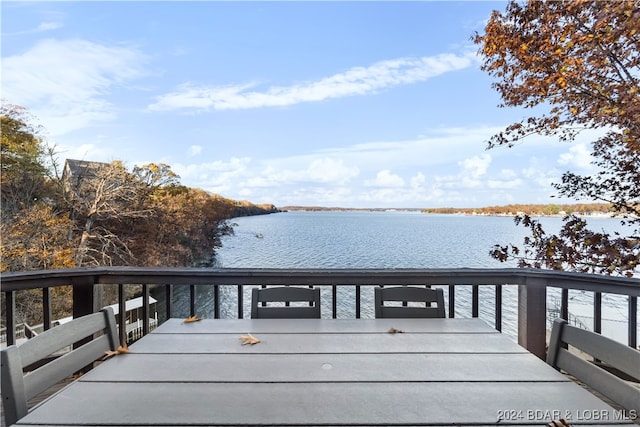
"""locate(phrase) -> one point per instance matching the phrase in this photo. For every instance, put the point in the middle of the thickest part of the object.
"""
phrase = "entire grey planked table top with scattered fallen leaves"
(324, 372)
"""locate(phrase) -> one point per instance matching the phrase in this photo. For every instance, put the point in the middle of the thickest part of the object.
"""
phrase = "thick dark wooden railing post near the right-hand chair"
(532, 316)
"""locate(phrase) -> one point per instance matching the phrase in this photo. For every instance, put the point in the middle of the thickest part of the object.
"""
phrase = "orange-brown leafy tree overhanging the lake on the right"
(577, 63)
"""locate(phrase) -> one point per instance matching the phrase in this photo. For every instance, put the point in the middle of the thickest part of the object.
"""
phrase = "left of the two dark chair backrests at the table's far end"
(286, 295)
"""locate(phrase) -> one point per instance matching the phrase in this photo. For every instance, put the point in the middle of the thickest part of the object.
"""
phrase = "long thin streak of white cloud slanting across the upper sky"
(355, 81)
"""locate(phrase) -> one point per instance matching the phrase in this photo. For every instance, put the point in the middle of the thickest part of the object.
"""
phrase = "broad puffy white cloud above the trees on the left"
(66, 83)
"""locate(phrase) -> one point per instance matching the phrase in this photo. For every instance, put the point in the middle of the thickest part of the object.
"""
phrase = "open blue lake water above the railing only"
(366, 240)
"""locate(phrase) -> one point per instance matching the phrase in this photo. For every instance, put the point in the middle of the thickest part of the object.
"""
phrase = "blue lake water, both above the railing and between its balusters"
(384, 240)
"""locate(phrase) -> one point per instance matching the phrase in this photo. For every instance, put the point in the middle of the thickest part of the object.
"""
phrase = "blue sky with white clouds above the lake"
(330, 103)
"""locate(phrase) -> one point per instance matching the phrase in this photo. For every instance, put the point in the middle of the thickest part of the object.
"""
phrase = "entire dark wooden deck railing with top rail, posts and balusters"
(532, 286)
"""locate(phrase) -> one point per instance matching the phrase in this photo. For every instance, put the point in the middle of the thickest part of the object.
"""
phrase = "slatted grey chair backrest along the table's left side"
(44, 369)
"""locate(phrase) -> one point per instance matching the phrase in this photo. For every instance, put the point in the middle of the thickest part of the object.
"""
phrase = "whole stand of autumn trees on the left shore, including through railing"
(110, 216)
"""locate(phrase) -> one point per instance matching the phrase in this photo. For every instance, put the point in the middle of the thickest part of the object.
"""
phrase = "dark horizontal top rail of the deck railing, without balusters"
(260, 276)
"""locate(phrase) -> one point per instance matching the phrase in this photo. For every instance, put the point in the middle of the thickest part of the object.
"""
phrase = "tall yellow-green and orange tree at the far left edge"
(33, 229)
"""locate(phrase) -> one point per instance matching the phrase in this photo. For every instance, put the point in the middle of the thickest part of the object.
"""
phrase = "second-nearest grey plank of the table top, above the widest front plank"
(325, 368)
